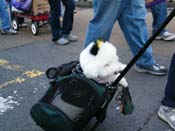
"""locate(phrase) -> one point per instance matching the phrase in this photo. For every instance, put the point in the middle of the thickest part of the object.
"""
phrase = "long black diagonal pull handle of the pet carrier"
(142, 50)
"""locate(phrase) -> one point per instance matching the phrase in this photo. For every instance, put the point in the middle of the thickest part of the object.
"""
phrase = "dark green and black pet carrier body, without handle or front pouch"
(69, 103)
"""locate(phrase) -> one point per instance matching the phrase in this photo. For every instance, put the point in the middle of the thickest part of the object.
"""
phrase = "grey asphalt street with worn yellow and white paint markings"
(24, 58)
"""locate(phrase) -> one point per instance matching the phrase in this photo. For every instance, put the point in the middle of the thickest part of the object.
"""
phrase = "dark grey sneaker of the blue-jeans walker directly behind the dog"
(156, 69)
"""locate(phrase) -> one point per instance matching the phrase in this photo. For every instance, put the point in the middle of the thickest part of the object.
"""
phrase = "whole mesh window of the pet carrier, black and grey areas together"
(73, 95)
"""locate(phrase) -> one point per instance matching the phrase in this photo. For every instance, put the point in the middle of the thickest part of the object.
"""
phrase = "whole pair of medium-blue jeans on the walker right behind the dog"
(131, 16)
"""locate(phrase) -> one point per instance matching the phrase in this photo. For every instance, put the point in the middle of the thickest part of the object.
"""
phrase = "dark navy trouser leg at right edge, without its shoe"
(169, 98)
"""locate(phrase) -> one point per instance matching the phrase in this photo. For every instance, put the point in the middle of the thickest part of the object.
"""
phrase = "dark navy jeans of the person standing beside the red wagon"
(55, 12)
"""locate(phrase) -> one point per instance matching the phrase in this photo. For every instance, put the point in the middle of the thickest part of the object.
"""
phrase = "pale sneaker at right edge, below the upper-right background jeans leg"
(166, 36)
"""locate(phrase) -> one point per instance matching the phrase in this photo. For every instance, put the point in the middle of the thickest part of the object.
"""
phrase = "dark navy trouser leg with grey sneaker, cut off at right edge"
(166, 111)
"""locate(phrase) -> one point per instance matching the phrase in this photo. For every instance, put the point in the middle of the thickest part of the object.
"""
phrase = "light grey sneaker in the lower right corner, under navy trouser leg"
(167, 114)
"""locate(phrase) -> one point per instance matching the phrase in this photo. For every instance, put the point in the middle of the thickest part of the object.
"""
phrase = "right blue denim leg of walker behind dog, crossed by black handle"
(133, 24)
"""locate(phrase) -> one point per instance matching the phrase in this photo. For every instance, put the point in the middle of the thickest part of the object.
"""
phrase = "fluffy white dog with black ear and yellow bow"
(99, 61)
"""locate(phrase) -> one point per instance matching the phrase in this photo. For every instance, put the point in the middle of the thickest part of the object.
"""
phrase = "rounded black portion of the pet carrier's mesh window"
(77, 92)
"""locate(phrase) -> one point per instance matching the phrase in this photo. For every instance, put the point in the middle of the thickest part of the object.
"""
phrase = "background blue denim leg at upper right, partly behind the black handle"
(159, 13)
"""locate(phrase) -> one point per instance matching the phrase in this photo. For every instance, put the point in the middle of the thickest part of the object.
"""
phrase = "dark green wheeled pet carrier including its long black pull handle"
(72, 100)
